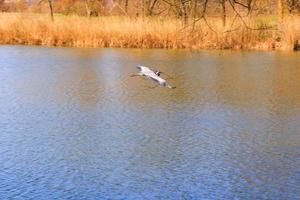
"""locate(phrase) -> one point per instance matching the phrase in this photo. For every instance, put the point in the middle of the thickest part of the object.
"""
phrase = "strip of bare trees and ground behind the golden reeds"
(184, 9)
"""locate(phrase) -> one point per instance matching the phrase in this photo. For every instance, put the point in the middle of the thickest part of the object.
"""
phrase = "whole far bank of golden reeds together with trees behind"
(194, 24)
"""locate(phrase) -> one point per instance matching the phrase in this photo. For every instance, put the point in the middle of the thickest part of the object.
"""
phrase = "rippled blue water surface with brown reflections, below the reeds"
(75, 125)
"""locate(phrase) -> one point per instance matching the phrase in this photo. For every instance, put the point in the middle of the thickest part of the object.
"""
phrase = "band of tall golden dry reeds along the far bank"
(75, 31)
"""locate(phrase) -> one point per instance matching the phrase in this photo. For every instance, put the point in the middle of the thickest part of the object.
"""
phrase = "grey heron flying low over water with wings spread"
(152, 75)
